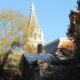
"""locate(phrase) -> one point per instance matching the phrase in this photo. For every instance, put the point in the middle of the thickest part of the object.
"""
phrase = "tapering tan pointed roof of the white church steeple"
(32, 20)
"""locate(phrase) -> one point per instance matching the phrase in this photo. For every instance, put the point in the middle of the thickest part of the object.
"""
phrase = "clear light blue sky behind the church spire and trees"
(52, 15)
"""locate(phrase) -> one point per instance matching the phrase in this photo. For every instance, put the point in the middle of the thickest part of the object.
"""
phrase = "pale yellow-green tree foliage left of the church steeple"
(13, 28)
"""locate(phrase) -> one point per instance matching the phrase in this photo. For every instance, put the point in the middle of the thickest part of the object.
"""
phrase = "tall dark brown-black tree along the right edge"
(74, 29)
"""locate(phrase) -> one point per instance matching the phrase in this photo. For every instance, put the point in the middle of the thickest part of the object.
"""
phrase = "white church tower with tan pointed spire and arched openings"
(35, 34)
